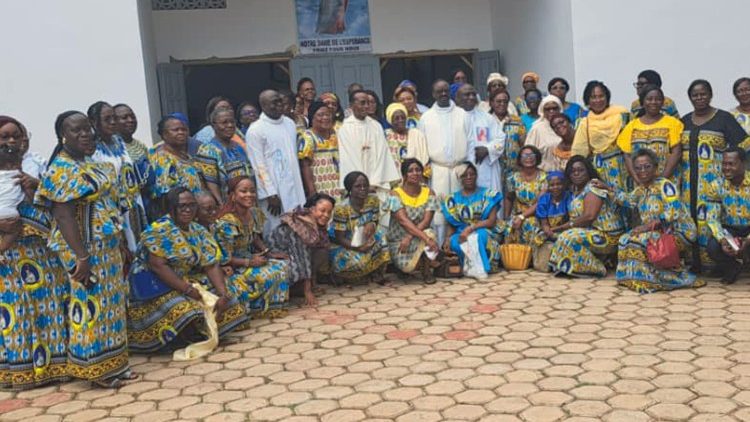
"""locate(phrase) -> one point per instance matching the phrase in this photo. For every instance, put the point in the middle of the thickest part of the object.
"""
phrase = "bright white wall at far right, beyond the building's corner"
(682, 40)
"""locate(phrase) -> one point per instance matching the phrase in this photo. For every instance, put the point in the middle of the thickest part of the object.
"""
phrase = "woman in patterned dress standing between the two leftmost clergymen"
(318, 152)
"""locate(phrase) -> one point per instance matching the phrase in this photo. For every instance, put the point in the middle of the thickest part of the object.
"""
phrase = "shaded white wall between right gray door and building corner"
(534, 35)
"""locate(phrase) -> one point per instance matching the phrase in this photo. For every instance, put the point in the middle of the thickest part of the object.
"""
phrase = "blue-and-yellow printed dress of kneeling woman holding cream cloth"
(154, 324)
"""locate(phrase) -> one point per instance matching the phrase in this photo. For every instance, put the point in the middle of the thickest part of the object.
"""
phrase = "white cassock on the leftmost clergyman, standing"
(272, 149)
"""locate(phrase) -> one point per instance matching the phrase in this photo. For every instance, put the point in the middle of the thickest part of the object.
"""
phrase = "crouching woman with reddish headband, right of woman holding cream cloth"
(261, 274)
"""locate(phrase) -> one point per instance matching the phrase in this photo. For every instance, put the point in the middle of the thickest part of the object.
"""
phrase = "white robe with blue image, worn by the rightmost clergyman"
(484, 131)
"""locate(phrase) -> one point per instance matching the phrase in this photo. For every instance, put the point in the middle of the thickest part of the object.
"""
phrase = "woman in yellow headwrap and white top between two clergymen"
(404, 142)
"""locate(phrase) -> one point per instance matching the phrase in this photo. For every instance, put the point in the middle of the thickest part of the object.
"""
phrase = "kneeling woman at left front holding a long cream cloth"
(179, 251)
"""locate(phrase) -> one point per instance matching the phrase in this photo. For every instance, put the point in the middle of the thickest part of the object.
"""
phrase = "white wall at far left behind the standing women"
(89, 50)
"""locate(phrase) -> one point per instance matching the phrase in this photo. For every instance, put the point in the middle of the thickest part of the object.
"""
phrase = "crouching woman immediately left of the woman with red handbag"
(593, 227)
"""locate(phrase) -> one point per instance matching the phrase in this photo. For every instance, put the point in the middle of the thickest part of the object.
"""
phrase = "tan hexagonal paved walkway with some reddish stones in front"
(519, 347)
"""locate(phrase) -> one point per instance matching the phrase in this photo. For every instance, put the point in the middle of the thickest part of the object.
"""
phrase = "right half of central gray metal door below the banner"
(364, 69)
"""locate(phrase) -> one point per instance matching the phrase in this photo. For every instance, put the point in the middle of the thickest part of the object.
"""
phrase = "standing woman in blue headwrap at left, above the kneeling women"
(172, 165)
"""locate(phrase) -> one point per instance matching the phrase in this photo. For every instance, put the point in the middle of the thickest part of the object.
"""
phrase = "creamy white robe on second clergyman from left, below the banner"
(362, 147)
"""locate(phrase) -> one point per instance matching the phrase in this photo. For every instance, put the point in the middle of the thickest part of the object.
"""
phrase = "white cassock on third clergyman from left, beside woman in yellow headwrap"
(447, 131)
